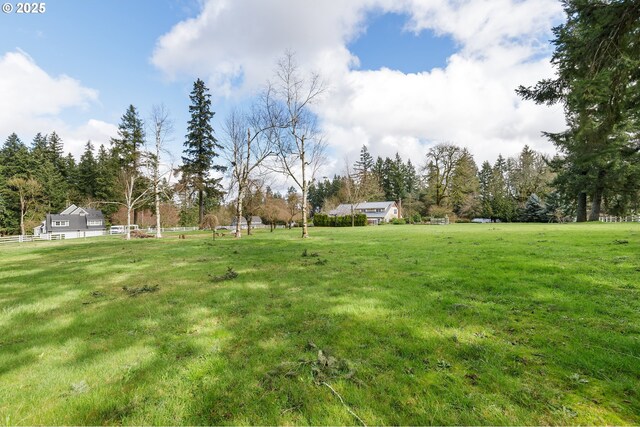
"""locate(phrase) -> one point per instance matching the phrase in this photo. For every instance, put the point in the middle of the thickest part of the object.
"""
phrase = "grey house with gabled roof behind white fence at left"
(73, 222)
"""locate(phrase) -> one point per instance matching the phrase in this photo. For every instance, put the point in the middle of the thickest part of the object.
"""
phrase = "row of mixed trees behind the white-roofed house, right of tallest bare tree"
(449, 182)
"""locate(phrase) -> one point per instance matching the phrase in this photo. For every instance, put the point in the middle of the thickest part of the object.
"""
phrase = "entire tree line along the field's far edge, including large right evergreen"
(597, 168)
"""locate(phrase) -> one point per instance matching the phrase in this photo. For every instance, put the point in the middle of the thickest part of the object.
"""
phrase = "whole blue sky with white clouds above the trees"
(402, 75)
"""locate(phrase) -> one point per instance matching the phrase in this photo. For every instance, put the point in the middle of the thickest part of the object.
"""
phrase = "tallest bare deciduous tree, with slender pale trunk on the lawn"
(297, 140)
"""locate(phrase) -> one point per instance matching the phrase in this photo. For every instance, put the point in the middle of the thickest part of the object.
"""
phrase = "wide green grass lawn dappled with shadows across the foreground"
(460, 324)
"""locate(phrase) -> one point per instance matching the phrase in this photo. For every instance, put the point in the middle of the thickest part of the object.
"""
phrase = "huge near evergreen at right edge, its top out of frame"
(597, 57)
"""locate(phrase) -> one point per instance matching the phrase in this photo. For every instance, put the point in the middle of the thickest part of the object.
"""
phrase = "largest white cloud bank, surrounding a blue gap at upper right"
(470, 102)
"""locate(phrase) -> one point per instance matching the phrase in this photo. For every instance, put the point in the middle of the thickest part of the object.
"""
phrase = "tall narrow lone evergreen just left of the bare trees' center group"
(200, 148)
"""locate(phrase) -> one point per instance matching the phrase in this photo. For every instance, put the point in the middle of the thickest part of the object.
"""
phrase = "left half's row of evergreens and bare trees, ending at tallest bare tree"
(281, 135)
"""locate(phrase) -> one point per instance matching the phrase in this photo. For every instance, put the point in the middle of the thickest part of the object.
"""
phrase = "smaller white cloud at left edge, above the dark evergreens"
(32, 101)
